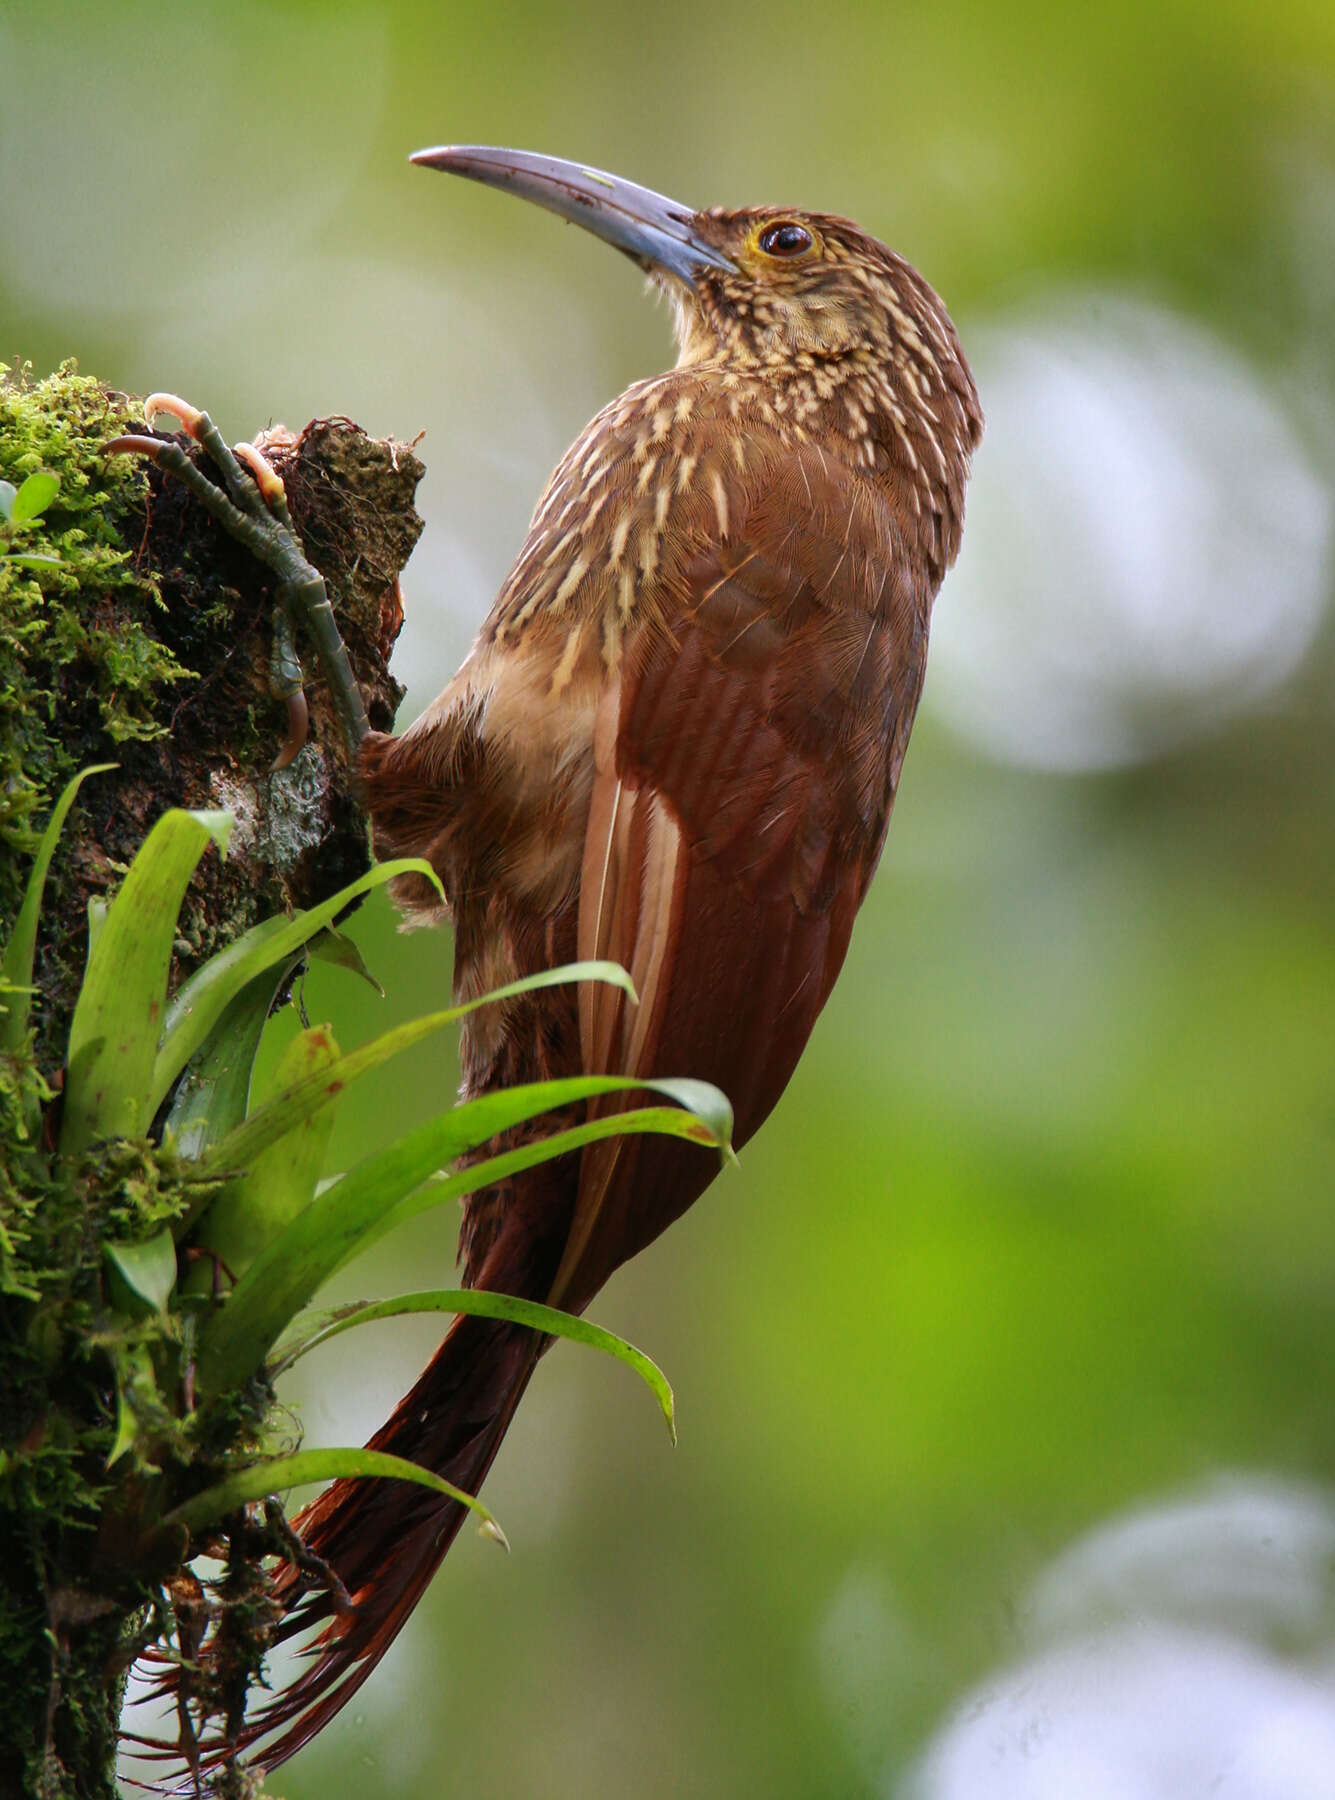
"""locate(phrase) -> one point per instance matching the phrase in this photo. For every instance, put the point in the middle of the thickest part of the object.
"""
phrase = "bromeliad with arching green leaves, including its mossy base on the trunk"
(161, 1243)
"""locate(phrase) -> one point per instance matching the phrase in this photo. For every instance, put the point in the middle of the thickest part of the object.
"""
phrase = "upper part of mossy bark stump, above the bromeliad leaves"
(148, 645)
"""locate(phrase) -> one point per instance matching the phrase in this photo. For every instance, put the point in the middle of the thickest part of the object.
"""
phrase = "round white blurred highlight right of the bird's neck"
(1147, 548)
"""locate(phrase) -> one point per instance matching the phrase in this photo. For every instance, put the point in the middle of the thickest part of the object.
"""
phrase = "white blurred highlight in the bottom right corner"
(1183, 1651)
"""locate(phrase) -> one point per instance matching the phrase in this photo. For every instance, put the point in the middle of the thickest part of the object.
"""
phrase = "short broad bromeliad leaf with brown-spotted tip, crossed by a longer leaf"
(251, 1212)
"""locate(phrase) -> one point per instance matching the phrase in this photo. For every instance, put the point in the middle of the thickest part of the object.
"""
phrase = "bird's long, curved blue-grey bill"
(654, 231)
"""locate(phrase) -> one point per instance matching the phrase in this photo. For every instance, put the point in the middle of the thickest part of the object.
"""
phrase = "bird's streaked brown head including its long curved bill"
(778, 294)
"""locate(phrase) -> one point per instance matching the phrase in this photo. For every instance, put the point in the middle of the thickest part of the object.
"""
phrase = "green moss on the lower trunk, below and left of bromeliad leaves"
(82, 1488)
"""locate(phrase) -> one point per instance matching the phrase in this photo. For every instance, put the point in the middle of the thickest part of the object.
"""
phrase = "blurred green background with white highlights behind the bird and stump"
(1005, 1365)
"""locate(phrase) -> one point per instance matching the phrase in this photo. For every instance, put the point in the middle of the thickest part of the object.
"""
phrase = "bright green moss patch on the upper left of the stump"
(75, 638)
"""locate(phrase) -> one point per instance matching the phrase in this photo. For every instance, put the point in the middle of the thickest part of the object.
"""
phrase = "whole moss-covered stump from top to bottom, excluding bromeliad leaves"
(147, 645)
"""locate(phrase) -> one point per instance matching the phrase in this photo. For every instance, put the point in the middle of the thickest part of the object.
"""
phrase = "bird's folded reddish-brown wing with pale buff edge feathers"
(744, 769)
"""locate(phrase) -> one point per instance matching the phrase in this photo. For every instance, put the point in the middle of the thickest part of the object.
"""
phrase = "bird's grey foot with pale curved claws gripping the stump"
(253, 507)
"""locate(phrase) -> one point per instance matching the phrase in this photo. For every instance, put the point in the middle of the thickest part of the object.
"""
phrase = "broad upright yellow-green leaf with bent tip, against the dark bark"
(123, 1002)
